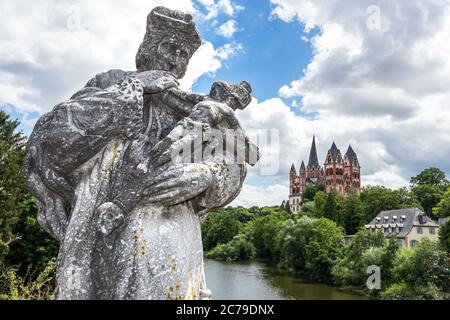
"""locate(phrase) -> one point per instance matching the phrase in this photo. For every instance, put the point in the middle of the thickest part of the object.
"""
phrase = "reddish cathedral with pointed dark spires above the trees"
(338, 173)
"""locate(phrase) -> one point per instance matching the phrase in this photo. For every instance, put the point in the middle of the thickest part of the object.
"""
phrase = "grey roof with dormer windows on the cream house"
(404, 219)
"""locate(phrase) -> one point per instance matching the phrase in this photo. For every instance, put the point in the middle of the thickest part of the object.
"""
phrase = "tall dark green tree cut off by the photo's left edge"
(12, 186)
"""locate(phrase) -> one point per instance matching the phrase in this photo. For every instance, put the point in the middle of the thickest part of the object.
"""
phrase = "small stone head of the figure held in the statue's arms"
(236, 96)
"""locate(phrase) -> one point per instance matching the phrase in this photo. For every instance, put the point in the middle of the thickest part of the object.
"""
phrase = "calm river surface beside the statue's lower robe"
(260, 281)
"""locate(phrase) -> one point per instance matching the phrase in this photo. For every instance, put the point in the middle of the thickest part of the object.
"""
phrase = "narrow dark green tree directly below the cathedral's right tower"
(352, 212)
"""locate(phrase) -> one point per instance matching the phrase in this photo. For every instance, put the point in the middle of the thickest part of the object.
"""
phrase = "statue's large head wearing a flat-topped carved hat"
(169, 43)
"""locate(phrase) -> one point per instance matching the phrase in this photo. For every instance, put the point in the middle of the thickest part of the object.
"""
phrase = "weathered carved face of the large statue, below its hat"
(172, 55)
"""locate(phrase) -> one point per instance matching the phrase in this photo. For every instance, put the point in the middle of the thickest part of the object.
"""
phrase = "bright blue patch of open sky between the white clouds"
(273, 53)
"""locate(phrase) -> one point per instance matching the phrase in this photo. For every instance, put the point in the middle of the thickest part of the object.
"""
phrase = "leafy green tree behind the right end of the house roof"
(429, 187)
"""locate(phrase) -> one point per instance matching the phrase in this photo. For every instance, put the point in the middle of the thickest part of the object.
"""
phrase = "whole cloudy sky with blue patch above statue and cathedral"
(373, 74)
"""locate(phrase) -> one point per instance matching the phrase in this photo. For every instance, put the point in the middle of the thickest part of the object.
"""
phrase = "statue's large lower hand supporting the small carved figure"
(179, 184)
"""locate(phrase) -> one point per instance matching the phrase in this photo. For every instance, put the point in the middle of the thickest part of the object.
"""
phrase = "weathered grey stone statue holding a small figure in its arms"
(101, 166)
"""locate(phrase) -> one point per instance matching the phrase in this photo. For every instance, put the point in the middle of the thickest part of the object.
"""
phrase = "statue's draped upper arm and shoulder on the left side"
(77, 129)
